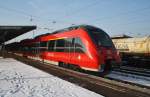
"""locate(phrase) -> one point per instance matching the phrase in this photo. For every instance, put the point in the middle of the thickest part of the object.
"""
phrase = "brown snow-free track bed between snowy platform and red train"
(106, 87)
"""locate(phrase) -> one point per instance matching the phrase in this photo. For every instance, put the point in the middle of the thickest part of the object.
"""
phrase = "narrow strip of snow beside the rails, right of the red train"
(130, 78)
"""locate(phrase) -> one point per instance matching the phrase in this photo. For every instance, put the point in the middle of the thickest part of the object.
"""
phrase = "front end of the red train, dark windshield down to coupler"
(108, 56)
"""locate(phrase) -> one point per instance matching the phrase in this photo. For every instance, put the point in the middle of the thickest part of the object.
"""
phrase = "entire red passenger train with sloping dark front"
(83, 46)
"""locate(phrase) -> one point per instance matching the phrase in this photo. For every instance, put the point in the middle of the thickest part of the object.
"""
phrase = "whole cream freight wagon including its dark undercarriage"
(134, 52)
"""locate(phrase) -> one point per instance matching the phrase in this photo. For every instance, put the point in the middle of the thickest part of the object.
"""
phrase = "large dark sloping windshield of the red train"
(99, 37)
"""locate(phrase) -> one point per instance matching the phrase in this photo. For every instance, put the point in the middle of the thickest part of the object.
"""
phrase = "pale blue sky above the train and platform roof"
(131, 17)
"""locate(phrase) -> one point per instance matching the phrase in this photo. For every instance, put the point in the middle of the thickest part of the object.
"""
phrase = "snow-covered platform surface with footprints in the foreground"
(20, 80)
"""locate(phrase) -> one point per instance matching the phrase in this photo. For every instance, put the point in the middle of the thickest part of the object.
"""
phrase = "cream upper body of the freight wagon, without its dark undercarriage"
(133, 46)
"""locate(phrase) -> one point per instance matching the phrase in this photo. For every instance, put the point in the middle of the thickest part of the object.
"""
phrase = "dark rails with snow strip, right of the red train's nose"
(131, 75)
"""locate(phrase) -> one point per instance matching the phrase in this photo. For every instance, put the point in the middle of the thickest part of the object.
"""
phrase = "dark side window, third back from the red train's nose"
(60, 44)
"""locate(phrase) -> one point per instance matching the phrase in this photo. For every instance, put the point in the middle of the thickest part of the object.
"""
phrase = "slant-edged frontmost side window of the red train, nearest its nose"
(79, 46)
